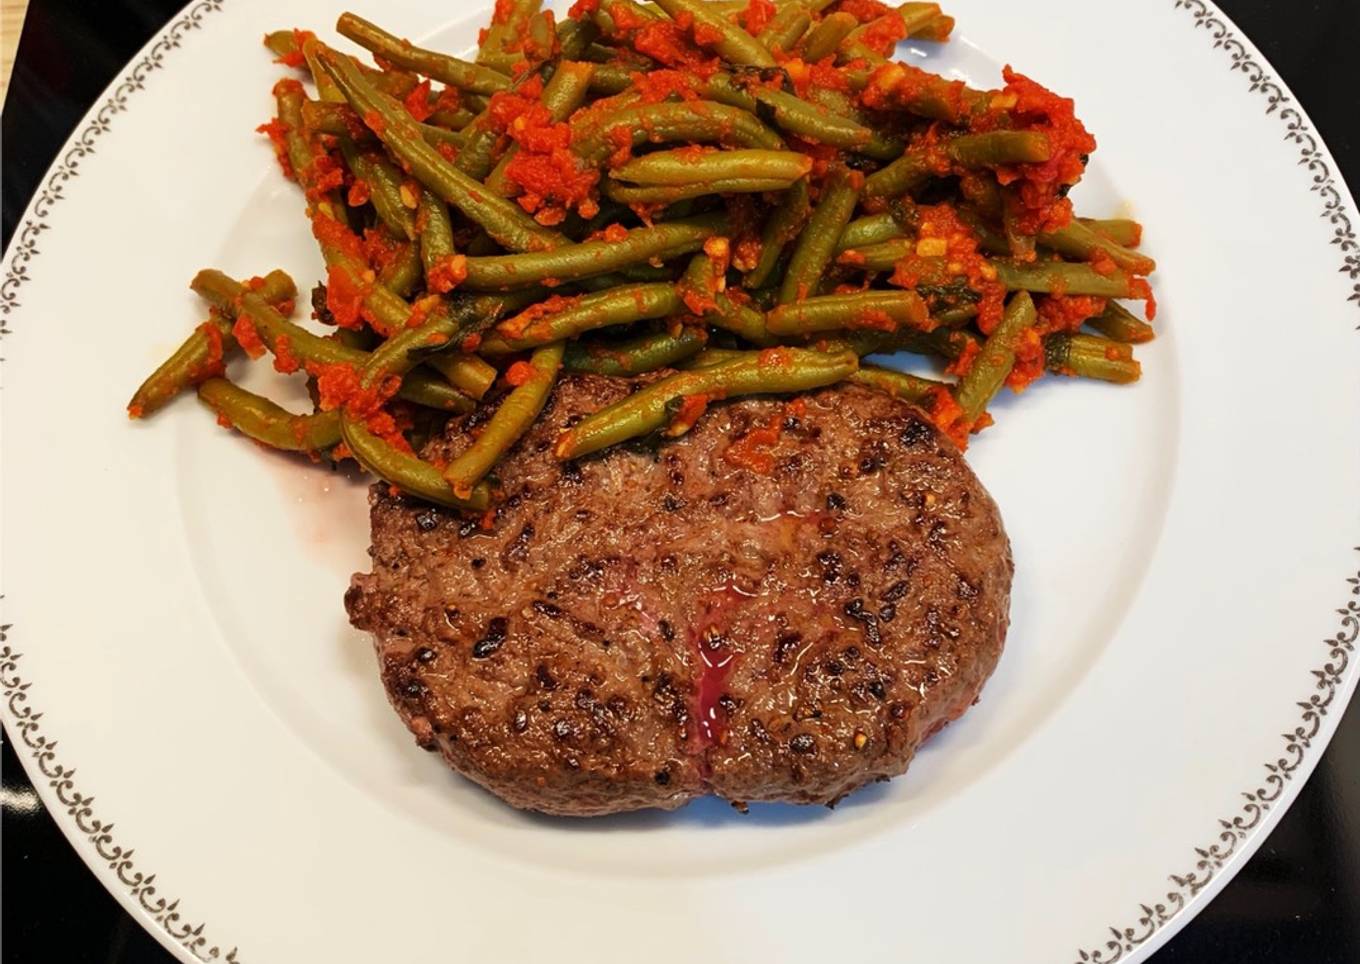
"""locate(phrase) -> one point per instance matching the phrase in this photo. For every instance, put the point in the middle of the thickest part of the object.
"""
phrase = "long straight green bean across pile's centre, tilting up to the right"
(592, 258)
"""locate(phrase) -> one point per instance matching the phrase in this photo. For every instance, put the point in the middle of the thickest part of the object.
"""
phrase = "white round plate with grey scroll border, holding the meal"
(191, 704)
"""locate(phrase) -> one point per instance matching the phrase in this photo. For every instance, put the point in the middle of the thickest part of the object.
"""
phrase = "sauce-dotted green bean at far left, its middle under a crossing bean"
(232, 298)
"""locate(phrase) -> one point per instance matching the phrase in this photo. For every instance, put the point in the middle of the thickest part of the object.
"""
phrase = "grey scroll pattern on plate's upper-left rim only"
(24, 245)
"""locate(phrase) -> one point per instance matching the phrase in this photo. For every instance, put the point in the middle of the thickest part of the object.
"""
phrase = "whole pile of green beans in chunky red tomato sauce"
(580, 198)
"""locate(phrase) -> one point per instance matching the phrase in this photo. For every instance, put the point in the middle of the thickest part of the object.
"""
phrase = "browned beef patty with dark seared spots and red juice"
(780, 606)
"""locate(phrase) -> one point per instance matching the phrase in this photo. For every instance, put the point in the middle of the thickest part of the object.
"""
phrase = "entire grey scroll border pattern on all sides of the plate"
(1153, 918)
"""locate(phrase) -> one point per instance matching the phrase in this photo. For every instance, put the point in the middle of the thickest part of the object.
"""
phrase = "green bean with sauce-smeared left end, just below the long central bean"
(617, 307)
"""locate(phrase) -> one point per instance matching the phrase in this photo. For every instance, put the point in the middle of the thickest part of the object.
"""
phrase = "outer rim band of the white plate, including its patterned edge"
(1237, 837)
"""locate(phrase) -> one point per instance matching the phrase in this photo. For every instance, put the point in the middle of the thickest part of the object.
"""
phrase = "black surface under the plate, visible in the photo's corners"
(1297, 902)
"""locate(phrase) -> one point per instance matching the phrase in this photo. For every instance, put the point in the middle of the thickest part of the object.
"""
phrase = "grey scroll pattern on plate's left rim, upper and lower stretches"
(24, 721)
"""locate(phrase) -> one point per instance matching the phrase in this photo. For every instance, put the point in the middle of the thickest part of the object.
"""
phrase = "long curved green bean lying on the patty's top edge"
(768, 372)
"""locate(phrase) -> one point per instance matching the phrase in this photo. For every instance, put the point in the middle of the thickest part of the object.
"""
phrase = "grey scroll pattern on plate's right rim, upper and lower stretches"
(1331, 676)
